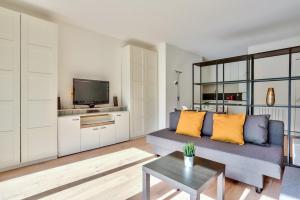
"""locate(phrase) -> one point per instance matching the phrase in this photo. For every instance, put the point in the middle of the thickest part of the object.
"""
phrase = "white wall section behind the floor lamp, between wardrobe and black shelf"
(172, 58)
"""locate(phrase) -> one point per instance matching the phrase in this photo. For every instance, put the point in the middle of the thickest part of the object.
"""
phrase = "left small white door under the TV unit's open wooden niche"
(90, 138)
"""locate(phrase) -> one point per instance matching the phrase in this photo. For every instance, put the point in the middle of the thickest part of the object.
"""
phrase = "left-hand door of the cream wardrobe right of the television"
(137, 112)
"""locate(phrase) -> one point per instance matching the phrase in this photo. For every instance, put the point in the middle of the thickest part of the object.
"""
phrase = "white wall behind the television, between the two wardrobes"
(88, 55)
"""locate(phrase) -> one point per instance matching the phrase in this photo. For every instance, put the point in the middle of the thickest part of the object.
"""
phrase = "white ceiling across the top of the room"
(212, 28)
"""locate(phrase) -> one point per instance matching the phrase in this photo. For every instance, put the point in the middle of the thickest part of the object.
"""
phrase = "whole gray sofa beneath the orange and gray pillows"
(247, 163)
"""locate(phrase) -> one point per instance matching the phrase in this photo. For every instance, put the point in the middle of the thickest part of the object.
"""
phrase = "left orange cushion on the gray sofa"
(190, 123)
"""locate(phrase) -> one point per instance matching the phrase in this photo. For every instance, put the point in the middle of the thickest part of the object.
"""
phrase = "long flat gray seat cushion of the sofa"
(271, 154)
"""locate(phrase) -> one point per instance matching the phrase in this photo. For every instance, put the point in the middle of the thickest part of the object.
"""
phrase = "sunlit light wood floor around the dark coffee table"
(112, 172)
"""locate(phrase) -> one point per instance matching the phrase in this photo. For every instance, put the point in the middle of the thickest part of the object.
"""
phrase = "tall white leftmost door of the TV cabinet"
(68, 135)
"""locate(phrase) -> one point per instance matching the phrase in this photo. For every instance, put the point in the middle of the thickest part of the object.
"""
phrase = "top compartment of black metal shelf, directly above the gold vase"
(271, 67)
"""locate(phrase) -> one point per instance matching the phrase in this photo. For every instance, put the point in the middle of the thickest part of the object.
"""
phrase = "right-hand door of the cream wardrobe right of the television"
(150, 92)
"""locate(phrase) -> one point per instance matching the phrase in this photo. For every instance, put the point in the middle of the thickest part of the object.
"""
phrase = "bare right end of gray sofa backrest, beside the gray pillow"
(276, 132)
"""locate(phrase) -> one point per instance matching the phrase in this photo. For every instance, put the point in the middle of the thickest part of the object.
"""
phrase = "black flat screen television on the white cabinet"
(90, 92)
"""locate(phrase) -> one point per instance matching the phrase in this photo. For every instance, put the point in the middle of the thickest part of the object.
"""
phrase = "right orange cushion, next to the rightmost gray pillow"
(229, 128)
